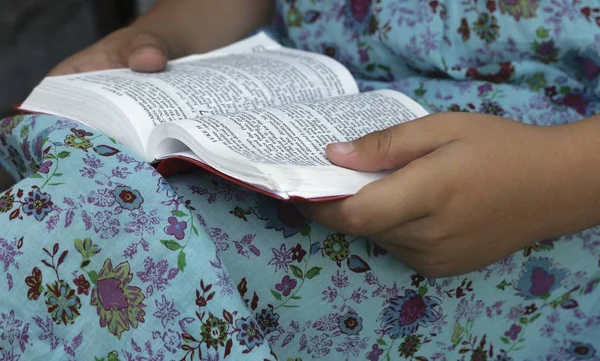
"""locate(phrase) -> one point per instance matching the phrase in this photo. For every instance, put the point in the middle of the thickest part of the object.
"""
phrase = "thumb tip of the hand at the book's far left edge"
(146, 53)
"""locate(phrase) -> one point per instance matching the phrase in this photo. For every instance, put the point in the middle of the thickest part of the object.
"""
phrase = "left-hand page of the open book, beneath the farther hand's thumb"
(220, 84)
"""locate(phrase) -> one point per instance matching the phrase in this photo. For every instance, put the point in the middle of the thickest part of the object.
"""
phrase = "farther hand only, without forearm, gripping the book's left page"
(125, 48)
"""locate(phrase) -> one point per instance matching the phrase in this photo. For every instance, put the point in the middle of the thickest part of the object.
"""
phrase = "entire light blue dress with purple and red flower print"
(104, 259)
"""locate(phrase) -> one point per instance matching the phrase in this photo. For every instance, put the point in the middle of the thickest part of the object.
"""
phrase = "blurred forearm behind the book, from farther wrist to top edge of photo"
(198, 26)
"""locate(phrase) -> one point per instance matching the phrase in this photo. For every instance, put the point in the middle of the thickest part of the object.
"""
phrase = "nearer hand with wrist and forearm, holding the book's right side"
(474, 189)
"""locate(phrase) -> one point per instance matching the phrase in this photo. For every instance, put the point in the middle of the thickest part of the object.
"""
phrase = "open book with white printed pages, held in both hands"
(254, 112)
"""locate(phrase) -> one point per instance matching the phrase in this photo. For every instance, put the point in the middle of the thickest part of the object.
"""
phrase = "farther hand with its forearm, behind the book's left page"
(171, 29)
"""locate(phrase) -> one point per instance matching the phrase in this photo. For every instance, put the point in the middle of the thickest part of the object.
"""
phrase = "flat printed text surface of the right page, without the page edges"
(297, 134)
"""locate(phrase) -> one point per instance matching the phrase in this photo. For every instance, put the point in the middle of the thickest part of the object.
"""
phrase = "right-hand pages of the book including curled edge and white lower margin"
(287, 143)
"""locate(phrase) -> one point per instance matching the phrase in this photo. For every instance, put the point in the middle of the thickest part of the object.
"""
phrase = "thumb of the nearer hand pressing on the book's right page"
(393, 147)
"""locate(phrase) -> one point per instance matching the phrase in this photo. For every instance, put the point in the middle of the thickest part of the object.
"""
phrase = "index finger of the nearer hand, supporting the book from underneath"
(404, 196)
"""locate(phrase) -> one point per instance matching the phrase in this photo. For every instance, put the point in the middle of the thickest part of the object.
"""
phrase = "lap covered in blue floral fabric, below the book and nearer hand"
(102, 257)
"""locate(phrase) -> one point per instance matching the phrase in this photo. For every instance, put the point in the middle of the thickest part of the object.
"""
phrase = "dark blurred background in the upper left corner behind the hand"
(35, 35)
